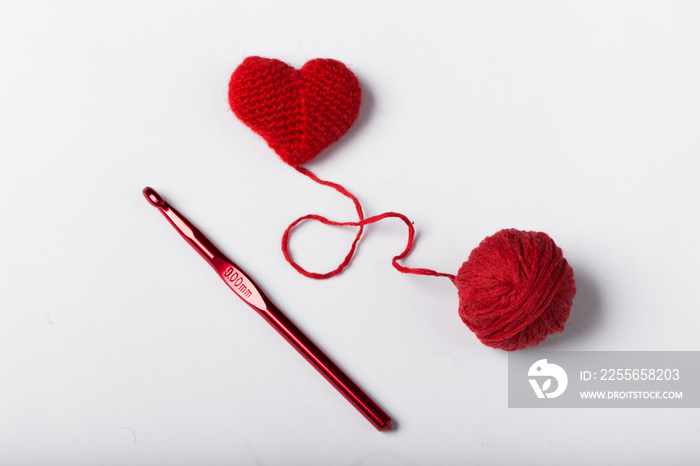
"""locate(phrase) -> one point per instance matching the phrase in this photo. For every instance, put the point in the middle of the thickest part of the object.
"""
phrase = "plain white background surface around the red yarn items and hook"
(118, 344)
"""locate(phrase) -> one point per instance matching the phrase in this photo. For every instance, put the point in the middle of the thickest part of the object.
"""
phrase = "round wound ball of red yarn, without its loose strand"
(515, 289)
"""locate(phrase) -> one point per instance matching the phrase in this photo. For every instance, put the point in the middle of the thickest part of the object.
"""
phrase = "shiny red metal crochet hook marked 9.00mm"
(249, 292)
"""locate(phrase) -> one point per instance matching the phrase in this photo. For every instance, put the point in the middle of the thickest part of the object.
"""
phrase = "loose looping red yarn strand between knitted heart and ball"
(361, 224)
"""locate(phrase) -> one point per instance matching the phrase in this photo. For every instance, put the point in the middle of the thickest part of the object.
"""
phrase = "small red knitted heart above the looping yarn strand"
(298, 112)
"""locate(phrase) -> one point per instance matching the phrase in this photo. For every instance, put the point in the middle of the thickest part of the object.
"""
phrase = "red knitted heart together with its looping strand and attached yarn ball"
(515, 289)
